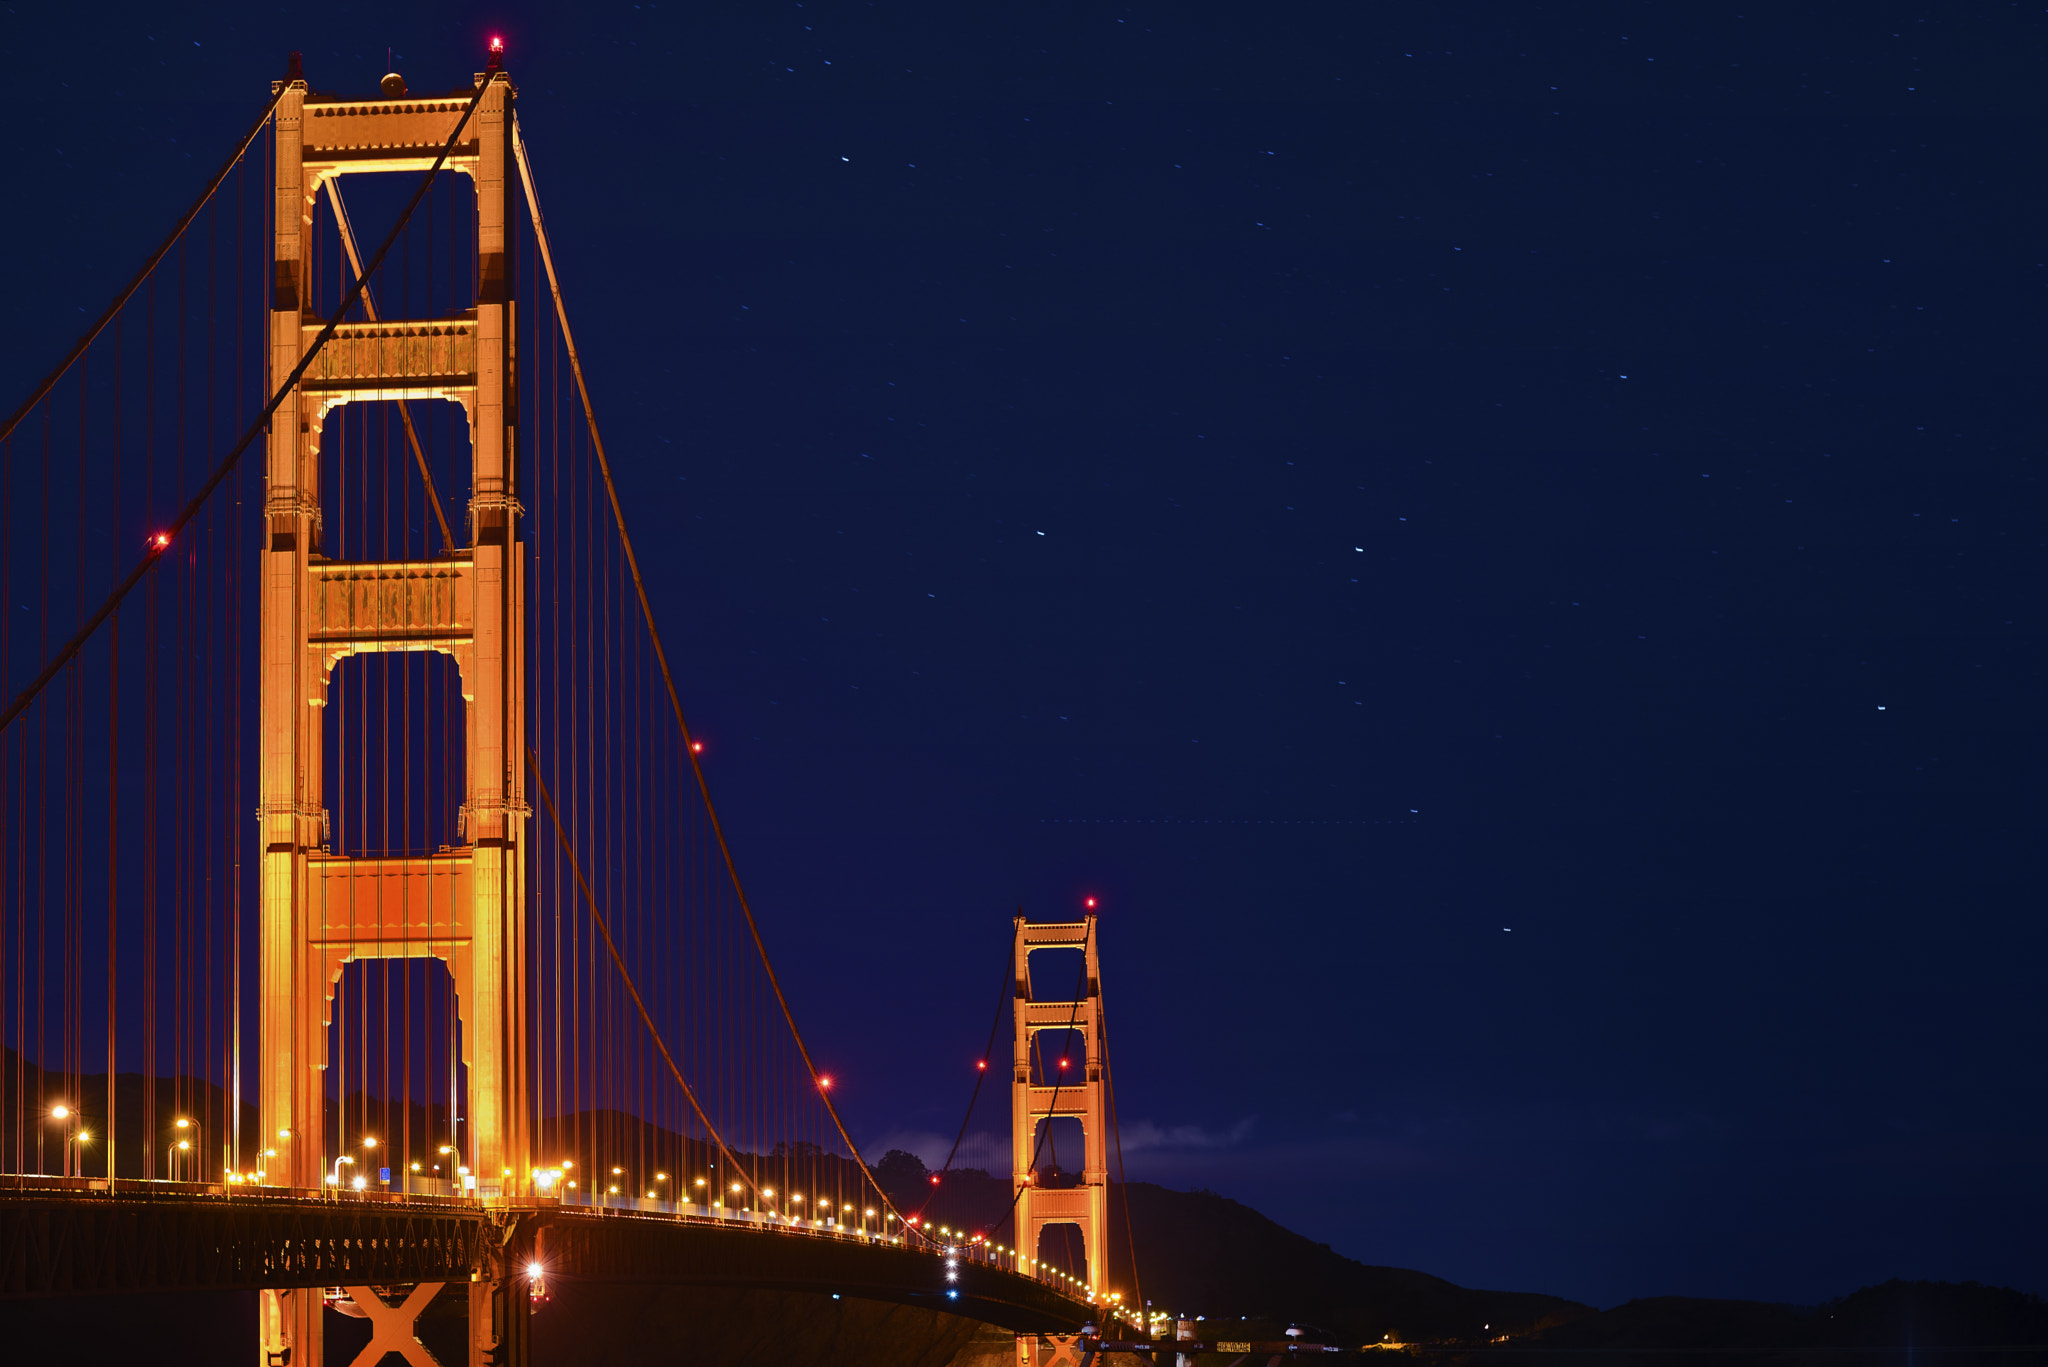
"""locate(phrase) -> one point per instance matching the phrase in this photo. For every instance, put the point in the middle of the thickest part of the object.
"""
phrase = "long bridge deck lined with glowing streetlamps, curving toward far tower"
(85, 1237)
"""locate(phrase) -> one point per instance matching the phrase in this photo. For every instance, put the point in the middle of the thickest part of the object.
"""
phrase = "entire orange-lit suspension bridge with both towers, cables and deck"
(368, 931)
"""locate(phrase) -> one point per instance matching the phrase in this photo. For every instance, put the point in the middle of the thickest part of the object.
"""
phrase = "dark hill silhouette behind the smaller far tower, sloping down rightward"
(1203, 1253)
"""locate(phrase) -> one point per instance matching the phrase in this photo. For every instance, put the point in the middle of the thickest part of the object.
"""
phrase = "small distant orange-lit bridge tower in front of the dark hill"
(1072, 1093)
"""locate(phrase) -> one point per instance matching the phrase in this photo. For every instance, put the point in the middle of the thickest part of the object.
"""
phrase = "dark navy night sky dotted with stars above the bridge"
(1494, 538)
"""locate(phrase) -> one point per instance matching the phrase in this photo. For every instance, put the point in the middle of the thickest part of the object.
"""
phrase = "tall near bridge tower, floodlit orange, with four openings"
(464, 905)
